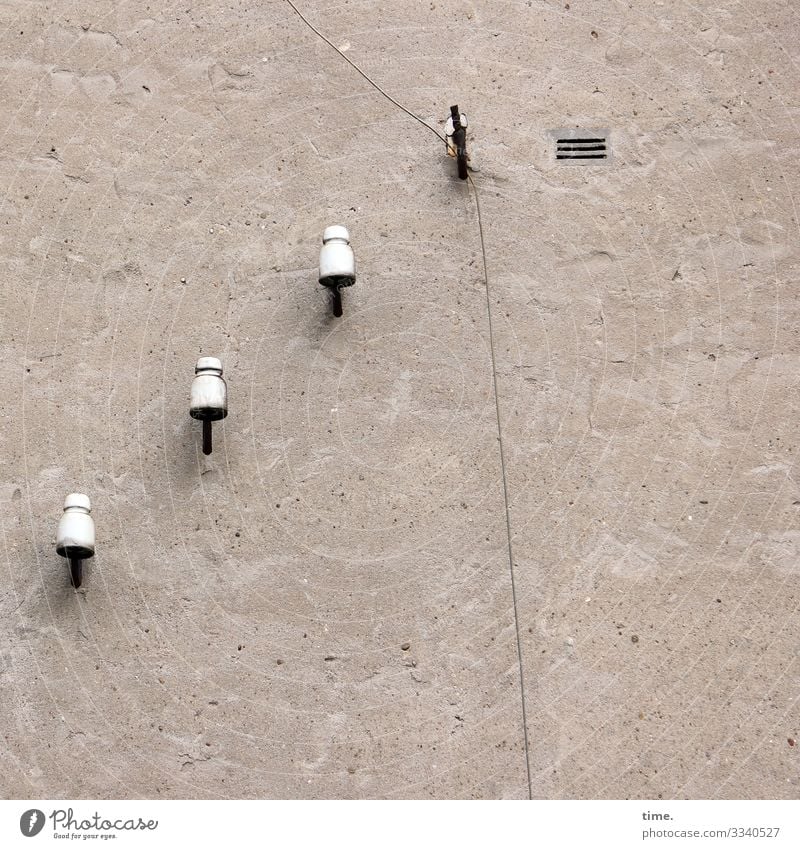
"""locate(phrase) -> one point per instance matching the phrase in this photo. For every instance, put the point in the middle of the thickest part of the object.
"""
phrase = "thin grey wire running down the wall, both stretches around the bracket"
(494, 382)
